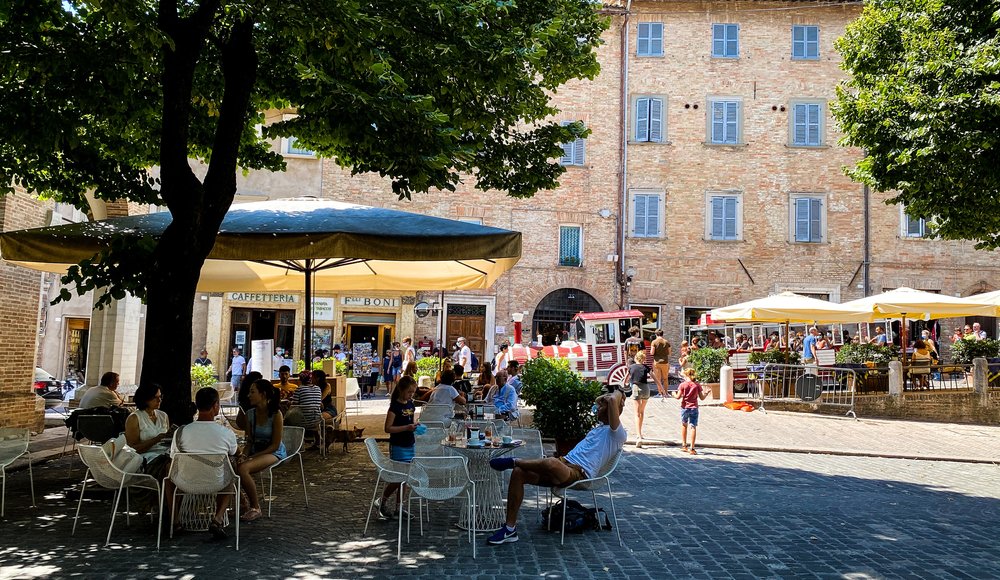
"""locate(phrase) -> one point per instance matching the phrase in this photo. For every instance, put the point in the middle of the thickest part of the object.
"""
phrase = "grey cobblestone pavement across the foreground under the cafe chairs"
(724, 514)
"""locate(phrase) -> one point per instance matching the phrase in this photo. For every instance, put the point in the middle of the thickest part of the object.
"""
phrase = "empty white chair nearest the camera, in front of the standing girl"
(439, 479)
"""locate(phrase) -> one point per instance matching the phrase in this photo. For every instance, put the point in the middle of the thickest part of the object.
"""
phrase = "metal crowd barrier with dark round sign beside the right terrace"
(832, 386)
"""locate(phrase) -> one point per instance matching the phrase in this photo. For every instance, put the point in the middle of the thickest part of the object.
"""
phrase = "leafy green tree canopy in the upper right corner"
(923, 101)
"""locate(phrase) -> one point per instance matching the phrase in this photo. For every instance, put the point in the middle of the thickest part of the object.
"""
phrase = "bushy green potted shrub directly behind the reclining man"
(562, 401)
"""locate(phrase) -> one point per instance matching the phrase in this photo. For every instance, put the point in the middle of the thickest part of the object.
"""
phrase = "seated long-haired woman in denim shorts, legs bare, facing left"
(264, 425)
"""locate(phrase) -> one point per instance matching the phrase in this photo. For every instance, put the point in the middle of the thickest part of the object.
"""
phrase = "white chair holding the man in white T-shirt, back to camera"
(202, 474)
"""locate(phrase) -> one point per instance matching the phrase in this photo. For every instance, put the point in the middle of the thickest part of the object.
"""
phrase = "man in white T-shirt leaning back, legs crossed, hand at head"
(583, 462)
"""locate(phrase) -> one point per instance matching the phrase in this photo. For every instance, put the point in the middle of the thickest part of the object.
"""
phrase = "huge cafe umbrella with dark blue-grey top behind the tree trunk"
(301, 243)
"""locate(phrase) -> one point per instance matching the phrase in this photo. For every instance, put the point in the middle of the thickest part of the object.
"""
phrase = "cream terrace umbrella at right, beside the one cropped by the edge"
(906, 303)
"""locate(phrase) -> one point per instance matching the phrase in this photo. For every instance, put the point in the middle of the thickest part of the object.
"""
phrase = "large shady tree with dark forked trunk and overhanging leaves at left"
(423, 92)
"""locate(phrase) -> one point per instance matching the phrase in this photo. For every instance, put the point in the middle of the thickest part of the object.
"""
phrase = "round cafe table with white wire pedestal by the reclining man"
(490, 510)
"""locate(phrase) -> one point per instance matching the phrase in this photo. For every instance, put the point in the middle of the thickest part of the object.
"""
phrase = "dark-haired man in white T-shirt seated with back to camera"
(204, 435)
